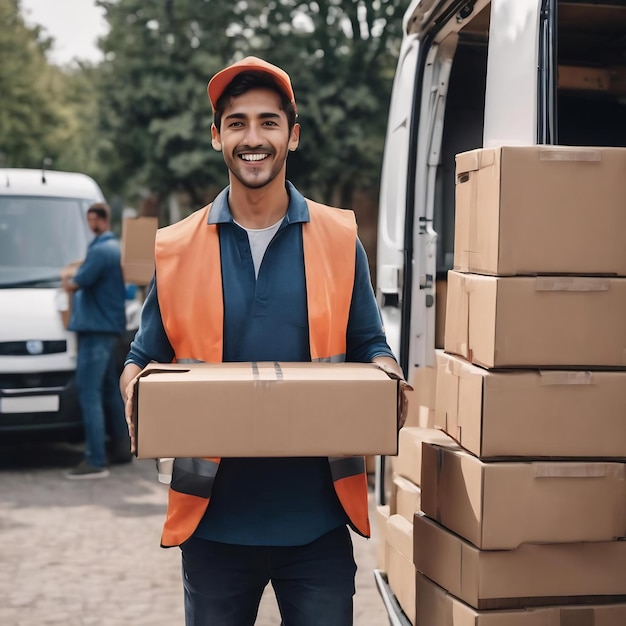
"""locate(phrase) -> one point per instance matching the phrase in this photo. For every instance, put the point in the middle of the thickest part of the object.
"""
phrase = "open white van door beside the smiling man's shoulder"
(407, 242)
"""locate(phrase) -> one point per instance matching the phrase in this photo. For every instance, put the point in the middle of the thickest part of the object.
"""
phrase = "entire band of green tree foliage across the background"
(140, 120)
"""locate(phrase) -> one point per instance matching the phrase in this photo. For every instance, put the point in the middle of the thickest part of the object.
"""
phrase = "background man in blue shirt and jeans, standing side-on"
(98, 317)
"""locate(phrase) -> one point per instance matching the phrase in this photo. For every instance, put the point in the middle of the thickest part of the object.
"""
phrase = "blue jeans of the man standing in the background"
(99, 394)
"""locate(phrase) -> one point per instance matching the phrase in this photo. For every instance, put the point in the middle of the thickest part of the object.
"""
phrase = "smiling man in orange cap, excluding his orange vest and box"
(275, 520)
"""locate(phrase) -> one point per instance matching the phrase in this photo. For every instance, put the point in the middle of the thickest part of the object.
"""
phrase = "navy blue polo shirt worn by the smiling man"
(269, 501)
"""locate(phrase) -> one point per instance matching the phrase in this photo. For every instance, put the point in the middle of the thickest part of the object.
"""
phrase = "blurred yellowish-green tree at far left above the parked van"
(47, 112)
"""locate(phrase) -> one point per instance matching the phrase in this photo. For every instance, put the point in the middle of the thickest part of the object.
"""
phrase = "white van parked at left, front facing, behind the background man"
(42, 228)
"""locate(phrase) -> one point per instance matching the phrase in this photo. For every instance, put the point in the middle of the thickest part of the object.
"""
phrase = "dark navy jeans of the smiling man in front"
(314, 584)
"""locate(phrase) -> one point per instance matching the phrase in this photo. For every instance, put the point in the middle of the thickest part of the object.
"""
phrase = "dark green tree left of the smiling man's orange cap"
(156, 114)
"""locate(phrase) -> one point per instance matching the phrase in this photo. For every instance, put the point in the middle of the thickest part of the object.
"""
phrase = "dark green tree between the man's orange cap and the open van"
(341, 55)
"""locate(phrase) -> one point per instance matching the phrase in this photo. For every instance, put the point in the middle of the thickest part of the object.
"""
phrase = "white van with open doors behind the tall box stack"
(473, 74)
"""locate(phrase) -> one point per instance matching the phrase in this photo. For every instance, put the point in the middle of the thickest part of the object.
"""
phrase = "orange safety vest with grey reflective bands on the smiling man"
(188, 270)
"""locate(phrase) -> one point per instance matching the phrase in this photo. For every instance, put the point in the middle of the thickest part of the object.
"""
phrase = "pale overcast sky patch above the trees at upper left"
(75, 26)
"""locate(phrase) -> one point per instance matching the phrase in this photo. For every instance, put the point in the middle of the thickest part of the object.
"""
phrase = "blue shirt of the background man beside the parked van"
(99, 303)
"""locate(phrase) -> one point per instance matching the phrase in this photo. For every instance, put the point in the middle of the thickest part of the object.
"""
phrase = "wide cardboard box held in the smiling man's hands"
(264, 409)
